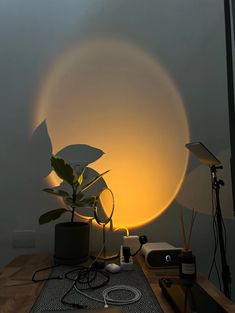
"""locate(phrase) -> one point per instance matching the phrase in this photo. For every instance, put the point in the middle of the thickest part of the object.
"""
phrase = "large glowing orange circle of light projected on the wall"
(113, 95)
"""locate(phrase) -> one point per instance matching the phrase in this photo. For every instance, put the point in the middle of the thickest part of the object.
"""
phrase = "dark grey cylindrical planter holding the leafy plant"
(71, 243)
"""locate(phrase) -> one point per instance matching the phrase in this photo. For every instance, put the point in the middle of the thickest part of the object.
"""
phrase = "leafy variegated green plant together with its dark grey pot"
(71, 238)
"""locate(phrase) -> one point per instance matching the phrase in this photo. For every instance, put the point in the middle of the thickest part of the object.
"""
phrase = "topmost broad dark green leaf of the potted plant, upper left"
(63, 169)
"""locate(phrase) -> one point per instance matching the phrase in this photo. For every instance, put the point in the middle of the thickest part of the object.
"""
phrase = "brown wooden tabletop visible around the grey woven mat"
(18, 293)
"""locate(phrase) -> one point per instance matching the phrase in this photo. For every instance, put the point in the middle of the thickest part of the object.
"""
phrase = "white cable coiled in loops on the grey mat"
(108, 300)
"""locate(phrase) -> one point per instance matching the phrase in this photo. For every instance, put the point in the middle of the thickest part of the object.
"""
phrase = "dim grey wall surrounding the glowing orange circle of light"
(188, 39)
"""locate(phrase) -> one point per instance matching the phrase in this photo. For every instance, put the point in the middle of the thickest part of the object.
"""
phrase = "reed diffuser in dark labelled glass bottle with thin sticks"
(187, 261)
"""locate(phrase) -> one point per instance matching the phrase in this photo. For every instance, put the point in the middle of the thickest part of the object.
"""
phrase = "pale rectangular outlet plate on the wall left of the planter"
(23, 238)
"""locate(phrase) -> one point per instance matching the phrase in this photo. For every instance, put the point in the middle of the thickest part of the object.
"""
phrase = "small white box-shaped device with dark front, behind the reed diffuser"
(160, 255)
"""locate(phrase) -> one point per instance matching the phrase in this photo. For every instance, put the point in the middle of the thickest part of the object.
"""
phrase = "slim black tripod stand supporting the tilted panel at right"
(226, 277)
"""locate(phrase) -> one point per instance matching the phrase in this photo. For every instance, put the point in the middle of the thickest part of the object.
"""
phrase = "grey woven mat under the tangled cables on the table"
(53, 290)
